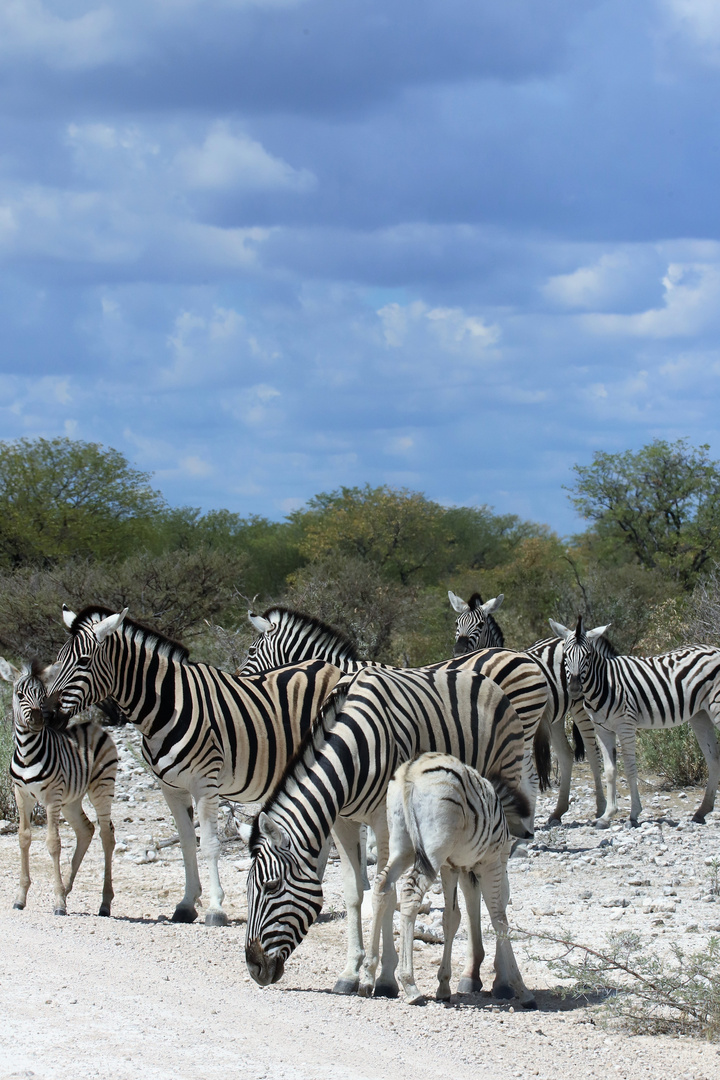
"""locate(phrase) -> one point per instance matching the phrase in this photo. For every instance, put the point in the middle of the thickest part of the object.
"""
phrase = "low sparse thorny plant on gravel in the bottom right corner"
(646, 993)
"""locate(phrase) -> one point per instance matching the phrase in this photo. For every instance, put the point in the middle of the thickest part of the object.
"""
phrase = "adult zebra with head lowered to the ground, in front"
(339, 777)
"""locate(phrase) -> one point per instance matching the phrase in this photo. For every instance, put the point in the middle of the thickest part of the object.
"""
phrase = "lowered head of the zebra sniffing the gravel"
(284, 899)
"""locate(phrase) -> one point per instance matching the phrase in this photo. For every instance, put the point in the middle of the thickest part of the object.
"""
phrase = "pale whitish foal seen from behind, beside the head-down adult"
(444, 816)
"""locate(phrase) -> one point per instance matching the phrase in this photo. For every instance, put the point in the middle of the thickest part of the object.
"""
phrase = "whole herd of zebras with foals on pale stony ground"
(325, 742)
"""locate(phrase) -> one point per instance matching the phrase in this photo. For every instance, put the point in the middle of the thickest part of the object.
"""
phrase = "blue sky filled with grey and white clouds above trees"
(268, 248)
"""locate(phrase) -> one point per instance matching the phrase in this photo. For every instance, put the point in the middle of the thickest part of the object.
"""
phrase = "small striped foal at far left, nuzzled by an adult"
(57, 771)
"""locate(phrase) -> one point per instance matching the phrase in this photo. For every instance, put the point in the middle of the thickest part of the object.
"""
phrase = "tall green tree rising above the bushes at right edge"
(660, 506)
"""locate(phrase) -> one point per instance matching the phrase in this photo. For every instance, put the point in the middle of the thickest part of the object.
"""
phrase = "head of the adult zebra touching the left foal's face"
(83, 676)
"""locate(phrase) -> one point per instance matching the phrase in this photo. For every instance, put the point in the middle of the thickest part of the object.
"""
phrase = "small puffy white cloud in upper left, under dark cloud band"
(236, 161)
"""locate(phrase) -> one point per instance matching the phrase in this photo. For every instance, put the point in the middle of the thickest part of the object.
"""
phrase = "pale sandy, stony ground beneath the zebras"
(138, 996)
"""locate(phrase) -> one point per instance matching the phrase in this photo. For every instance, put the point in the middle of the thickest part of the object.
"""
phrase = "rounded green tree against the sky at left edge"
(61, 498)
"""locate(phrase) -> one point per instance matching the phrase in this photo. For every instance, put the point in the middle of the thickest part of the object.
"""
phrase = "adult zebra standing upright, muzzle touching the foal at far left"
(206, 734)
